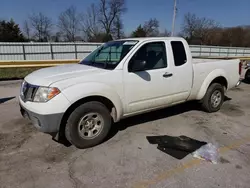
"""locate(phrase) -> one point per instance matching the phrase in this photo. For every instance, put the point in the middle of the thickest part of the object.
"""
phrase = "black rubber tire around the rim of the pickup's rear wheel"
(207, 100)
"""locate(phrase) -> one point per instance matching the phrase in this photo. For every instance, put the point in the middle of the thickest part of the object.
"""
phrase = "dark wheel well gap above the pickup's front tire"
(110, 106)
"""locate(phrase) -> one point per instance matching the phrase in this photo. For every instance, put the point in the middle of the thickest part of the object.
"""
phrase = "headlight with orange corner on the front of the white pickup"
(44, 94)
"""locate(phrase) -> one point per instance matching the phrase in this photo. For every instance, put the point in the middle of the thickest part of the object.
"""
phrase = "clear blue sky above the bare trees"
(226, 12)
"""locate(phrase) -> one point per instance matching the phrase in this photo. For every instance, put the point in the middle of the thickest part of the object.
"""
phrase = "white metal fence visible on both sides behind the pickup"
(50, 51)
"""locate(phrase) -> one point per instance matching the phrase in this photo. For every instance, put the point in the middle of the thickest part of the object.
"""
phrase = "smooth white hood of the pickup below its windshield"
(47, 76)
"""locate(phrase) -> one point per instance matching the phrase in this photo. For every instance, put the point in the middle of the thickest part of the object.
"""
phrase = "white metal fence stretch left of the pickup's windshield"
(45, 51)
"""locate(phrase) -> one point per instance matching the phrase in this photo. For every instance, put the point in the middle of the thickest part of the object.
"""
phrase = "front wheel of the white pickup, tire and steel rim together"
(88, 125)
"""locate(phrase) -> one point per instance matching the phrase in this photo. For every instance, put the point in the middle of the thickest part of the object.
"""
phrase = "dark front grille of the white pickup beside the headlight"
(28, 91)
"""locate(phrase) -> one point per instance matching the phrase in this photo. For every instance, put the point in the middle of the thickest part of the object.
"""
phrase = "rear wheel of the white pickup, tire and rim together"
(213, 98)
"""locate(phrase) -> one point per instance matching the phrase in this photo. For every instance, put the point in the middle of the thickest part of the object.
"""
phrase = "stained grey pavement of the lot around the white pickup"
(32, 159)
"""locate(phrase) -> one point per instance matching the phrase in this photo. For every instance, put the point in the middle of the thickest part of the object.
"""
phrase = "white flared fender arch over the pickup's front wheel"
(89, 89)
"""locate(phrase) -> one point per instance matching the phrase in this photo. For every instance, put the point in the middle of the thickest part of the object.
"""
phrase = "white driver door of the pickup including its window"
(149, 87)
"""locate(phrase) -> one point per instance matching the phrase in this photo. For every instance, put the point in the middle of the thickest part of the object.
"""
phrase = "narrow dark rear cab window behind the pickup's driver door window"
(179, 53)
